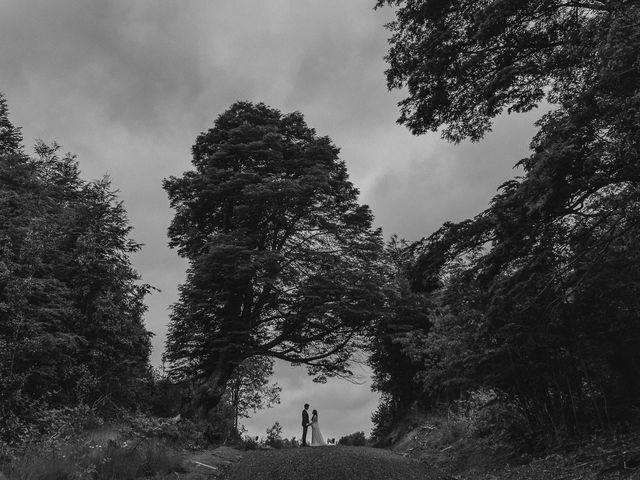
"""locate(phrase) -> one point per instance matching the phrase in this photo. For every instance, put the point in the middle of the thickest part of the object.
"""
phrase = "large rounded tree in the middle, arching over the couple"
(283, 260)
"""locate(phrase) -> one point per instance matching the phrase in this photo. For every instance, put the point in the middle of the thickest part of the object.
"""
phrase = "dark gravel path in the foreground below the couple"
(328, 463)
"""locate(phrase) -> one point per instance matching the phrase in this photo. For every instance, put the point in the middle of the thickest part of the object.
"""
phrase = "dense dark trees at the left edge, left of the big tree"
(71, 305)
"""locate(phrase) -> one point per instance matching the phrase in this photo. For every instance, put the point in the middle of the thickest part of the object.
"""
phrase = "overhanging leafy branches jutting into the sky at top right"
(464, 62)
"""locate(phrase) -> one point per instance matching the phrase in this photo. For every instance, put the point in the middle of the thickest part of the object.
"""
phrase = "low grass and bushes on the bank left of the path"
(78, 443)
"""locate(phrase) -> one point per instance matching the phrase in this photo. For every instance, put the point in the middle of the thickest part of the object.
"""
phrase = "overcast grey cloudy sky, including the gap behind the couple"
(128, 85)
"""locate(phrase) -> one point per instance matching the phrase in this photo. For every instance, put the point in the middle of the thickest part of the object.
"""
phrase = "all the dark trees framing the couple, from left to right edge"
(534, 299)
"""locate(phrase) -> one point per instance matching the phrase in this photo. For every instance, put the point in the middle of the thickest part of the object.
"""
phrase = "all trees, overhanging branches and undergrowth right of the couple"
(513, 336)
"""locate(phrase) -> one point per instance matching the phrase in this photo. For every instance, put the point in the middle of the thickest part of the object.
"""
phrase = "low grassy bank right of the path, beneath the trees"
(460, 450)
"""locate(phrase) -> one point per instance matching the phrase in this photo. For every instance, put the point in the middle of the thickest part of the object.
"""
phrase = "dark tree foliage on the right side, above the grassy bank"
(537, 296)
